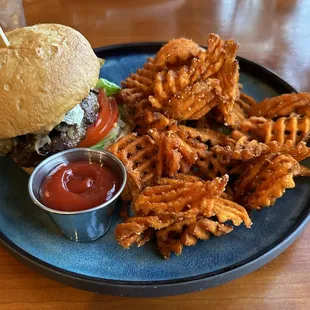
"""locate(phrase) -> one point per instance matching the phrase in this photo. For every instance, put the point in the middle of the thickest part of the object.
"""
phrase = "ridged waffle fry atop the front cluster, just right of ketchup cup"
(173, 195)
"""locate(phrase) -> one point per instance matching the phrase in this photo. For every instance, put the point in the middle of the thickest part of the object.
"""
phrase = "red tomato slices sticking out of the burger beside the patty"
(107, 117)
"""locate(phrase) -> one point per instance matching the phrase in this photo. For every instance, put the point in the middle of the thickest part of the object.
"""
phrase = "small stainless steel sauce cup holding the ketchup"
(86, 225)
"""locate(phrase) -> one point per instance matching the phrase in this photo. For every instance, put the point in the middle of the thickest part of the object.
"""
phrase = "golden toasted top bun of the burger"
(47, 71)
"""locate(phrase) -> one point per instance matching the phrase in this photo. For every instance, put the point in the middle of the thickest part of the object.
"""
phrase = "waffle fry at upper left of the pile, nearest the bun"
(139, 85)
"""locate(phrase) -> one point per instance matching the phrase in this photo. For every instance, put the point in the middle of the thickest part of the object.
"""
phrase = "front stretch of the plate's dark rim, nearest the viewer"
(151, 289)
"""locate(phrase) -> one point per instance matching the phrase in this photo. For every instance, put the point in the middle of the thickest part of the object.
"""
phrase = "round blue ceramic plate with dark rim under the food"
(103, 266)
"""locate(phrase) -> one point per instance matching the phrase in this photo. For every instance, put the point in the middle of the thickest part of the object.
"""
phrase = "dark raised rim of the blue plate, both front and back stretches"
(159, 287)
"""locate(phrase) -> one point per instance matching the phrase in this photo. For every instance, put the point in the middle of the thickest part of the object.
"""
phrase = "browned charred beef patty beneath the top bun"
(62, 137)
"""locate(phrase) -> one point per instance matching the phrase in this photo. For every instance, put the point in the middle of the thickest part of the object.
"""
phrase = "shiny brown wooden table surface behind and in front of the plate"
(274, 33)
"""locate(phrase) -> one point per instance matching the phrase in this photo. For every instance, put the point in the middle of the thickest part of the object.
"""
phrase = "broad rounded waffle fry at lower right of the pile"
(265, 179)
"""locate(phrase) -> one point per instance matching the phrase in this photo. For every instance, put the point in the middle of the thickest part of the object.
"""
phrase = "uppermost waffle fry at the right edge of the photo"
(283, 105)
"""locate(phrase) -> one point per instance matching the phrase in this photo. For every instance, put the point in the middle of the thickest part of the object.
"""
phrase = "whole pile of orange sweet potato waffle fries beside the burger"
(187, 180)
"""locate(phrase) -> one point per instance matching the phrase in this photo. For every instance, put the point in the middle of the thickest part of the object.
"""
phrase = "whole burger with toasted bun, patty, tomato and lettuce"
(51, 99)
